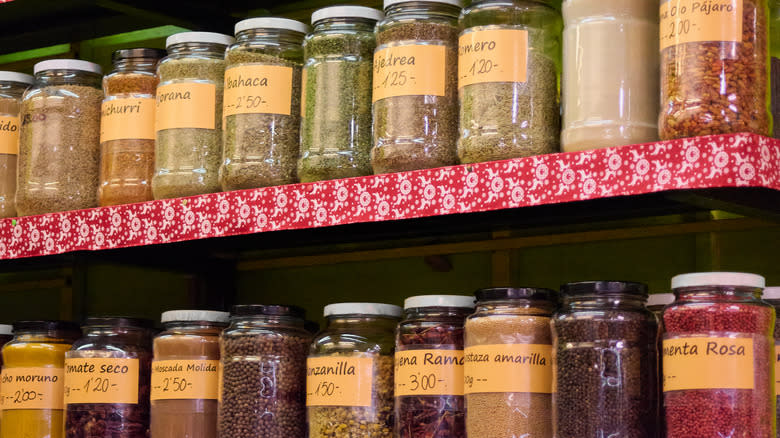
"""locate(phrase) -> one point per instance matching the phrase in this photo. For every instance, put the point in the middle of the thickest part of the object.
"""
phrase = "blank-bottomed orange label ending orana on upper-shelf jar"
(186, 105)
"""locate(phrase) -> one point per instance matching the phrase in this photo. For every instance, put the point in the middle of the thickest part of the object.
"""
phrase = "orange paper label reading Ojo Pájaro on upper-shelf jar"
(689, 21)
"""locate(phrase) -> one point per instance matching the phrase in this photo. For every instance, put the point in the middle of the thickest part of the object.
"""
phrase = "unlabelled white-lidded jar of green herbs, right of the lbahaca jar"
(336, 127)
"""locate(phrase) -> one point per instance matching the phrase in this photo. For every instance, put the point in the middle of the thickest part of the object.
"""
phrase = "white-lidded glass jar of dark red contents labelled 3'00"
(429, 367)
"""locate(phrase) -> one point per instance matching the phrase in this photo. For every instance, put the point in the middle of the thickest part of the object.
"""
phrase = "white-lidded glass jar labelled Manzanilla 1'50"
(349, 377)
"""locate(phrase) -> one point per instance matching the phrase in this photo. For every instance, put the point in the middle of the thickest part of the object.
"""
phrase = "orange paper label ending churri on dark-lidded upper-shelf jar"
(127, 118)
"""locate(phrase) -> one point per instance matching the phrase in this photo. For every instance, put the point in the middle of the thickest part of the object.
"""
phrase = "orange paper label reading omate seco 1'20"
(93, 380)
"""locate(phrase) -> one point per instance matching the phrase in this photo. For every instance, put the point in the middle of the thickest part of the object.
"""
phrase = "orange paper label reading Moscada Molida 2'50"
(185, 379)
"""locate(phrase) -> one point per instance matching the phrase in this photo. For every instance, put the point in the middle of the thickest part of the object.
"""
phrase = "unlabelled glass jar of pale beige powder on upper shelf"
(615, 105)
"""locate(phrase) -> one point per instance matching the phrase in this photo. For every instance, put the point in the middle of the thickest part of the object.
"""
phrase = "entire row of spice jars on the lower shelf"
(523, 363)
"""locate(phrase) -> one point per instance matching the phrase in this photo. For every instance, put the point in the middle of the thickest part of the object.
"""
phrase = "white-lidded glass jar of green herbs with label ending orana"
(189, 115)
